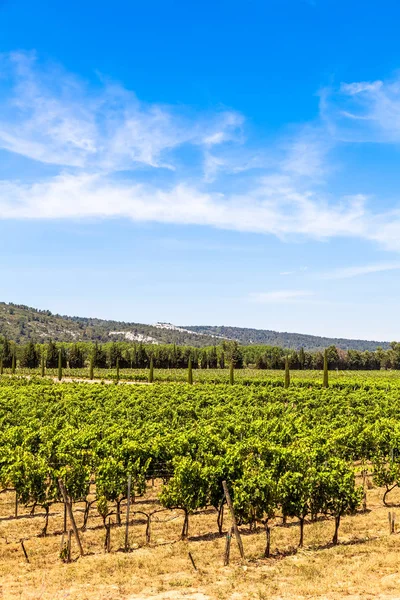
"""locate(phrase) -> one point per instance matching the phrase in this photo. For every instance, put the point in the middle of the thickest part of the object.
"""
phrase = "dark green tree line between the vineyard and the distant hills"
(171, 356)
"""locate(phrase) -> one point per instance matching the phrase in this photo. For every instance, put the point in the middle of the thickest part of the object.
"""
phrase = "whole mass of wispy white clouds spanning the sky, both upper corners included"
(92, 133)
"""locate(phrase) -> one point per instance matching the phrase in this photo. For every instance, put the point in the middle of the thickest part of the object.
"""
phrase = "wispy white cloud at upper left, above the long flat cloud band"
(51, 117)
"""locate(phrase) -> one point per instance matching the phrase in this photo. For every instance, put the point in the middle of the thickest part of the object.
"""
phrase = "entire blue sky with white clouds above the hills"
(203, 163)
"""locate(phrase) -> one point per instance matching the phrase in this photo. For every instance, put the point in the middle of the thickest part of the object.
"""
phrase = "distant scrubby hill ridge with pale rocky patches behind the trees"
(22, 323)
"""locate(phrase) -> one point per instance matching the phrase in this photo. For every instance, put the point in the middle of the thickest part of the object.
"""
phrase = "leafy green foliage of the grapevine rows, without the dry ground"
(281, 451)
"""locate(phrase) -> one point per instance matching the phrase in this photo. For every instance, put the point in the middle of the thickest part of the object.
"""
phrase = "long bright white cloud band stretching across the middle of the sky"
(272, 207)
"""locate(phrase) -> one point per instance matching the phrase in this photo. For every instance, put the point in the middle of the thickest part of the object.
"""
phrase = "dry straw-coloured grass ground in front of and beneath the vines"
(364, 565)
